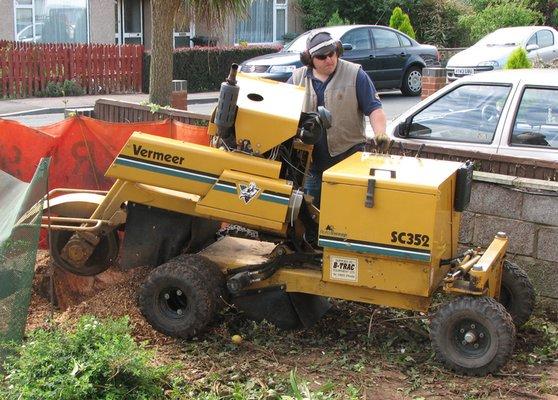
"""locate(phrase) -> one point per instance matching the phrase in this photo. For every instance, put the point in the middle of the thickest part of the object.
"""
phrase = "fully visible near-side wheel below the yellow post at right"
(493, 329)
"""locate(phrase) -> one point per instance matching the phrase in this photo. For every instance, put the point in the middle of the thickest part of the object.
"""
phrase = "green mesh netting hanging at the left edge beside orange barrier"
(20, 222)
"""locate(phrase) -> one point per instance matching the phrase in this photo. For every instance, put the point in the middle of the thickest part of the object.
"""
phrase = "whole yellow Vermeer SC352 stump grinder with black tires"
(229, 223)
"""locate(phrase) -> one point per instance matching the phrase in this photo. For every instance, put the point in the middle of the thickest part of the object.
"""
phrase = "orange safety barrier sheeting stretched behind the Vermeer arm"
(81, 148)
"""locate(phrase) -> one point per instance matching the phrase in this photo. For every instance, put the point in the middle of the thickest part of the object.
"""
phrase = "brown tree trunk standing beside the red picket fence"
(160, 72)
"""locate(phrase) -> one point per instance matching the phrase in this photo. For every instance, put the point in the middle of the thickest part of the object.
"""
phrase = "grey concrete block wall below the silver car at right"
(527, 210)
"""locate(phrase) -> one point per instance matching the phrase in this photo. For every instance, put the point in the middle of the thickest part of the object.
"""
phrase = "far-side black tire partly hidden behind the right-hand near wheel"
(517, 293)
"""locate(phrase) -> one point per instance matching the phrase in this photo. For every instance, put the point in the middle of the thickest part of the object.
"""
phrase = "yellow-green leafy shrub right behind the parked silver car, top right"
(498, 15)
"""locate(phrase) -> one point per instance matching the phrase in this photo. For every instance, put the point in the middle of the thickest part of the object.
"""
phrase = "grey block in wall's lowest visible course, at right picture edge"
(543, 275)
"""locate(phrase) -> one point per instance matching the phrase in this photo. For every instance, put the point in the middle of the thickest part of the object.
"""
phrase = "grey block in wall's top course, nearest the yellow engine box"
(495, 200)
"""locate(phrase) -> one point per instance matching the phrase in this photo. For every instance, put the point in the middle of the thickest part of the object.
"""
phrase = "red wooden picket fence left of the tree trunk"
(27, 68)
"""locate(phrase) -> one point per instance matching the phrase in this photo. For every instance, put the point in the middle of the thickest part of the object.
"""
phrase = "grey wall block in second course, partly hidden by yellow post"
(521, 234)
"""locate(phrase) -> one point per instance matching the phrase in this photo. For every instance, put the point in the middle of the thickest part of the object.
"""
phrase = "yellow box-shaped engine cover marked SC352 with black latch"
(396, 241)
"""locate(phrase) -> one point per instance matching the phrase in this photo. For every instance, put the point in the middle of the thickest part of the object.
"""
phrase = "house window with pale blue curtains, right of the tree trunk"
(266, 22)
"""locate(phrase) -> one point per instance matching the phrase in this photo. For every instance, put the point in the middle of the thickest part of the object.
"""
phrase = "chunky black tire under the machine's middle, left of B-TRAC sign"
(191, 282)
